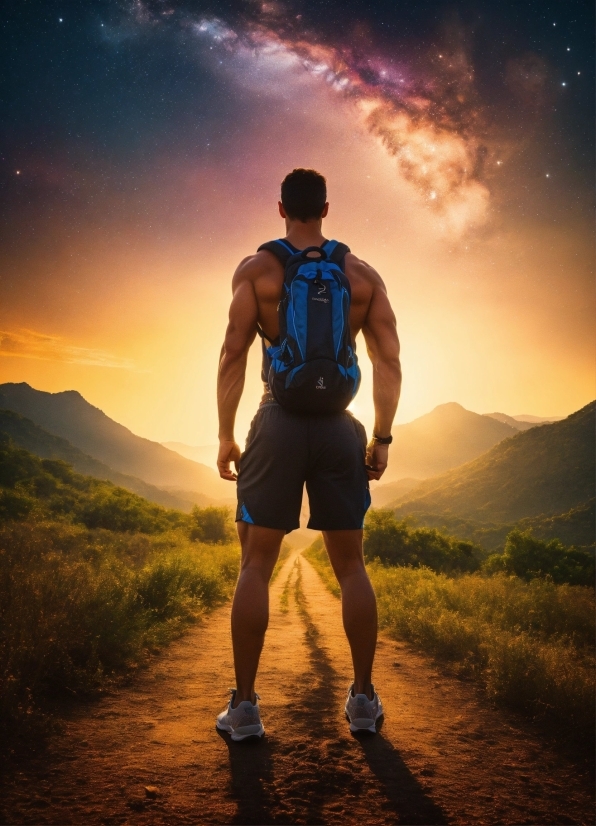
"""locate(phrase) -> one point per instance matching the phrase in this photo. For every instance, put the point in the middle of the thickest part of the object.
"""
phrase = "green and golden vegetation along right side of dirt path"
(521, 633)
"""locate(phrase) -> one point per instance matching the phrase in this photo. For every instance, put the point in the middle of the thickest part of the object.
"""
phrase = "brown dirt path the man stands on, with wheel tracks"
(441, 755)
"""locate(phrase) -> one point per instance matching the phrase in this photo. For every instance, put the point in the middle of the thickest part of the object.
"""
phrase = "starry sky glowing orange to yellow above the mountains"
(141, 154)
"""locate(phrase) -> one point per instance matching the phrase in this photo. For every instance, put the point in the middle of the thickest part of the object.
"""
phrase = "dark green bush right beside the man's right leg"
(393, 542)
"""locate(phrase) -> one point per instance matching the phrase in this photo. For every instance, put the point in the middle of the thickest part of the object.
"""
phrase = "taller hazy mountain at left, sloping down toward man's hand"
(86, 427)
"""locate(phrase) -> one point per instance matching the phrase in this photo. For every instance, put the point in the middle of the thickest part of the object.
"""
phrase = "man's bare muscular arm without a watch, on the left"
(240, 334)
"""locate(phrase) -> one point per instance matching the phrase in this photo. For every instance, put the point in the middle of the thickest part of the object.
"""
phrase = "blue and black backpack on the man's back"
(312, 367)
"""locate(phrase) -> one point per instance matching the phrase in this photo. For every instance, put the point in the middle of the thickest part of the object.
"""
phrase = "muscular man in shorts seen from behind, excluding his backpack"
(284, 450)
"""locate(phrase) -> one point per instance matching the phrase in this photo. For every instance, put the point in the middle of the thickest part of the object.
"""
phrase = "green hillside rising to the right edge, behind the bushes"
(545, 471)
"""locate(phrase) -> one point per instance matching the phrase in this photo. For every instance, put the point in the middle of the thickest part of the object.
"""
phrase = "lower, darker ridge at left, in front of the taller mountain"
(25, 434)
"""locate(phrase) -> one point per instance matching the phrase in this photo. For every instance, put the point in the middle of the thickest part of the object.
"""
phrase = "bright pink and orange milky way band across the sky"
(427, 116)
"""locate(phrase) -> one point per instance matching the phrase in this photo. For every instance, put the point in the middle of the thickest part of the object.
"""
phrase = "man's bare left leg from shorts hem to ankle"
(250, 609)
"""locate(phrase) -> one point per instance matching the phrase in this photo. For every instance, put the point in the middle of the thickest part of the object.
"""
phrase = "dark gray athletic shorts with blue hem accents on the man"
(286, 450)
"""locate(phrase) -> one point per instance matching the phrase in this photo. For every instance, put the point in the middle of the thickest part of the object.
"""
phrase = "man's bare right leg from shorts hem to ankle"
(358, 603)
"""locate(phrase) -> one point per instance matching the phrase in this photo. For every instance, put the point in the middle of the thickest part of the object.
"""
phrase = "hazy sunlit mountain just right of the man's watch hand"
(445, 438)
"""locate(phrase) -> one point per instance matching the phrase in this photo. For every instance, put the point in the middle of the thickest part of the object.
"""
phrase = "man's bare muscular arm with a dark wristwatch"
(382, 344)
